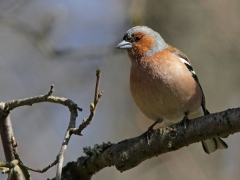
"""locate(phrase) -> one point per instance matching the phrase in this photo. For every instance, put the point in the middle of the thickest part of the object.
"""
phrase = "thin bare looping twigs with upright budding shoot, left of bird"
(10, 145)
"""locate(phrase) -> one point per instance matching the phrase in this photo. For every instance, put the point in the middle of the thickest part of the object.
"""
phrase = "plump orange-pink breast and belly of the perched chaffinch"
(163, 88)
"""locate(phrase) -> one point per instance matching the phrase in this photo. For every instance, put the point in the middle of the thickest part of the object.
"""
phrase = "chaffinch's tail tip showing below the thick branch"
(211, 145)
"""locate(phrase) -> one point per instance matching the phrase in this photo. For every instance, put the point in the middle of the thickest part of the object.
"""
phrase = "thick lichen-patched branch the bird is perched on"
(131, 152)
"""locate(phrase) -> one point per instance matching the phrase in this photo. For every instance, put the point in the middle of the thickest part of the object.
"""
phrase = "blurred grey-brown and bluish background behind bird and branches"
(63, 42)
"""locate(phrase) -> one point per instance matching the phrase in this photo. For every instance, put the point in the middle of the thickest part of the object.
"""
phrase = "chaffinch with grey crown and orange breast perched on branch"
(163, 83)
